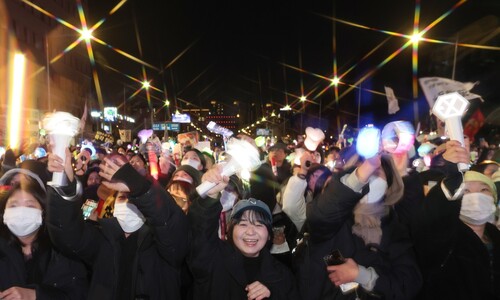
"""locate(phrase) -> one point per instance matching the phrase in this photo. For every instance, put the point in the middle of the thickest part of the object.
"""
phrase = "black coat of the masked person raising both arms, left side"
(161, 245)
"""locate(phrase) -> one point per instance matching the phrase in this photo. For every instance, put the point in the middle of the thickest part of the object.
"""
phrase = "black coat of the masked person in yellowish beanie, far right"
(454, 261)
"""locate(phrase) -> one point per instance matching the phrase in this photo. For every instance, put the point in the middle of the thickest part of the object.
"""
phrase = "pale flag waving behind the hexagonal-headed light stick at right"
(435, 86)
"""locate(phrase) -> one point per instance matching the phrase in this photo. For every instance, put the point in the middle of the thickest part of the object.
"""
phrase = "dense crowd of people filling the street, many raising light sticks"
(312, 221)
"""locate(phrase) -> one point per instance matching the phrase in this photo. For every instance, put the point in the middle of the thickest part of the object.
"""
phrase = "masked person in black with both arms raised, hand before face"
(138, 253)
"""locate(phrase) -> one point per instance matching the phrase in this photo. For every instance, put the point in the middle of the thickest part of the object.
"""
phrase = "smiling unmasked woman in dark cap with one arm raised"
(241, 266)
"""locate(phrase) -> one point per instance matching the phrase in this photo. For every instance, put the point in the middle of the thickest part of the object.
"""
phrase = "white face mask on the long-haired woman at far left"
(22, 220)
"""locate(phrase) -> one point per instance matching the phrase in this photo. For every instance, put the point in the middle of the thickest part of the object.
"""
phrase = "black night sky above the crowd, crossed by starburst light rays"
(252, 51)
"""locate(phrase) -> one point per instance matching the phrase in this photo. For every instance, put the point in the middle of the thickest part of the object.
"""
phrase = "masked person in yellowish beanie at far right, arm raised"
(458, 249)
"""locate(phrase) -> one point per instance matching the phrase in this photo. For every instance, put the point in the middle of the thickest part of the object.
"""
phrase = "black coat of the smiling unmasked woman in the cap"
(218, 267)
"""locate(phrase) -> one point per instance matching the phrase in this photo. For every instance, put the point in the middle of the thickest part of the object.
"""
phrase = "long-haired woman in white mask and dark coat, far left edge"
(30, 266)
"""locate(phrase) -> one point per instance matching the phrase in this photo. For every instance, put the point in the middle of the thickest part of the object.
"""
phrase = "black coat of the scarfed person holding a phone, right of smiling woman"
(330, 220)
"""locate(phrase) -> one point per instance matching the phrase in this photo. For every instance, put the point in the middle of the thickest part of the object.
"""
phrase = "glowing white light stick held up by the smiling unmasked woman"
(244, 157)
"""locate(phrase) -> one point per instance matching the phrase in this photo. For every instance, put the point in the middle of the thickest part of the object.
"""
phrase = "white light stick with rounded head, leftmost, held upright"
(61, 127)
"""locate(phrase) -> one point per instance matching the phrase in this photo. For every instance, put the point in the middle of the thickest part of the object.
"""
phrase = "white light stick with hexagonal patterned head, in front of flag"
(450, 109)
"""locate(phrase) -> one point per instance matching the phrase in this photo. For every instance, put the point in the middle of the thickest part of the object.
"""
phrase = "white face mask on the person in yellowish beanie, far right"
(477, 208)
